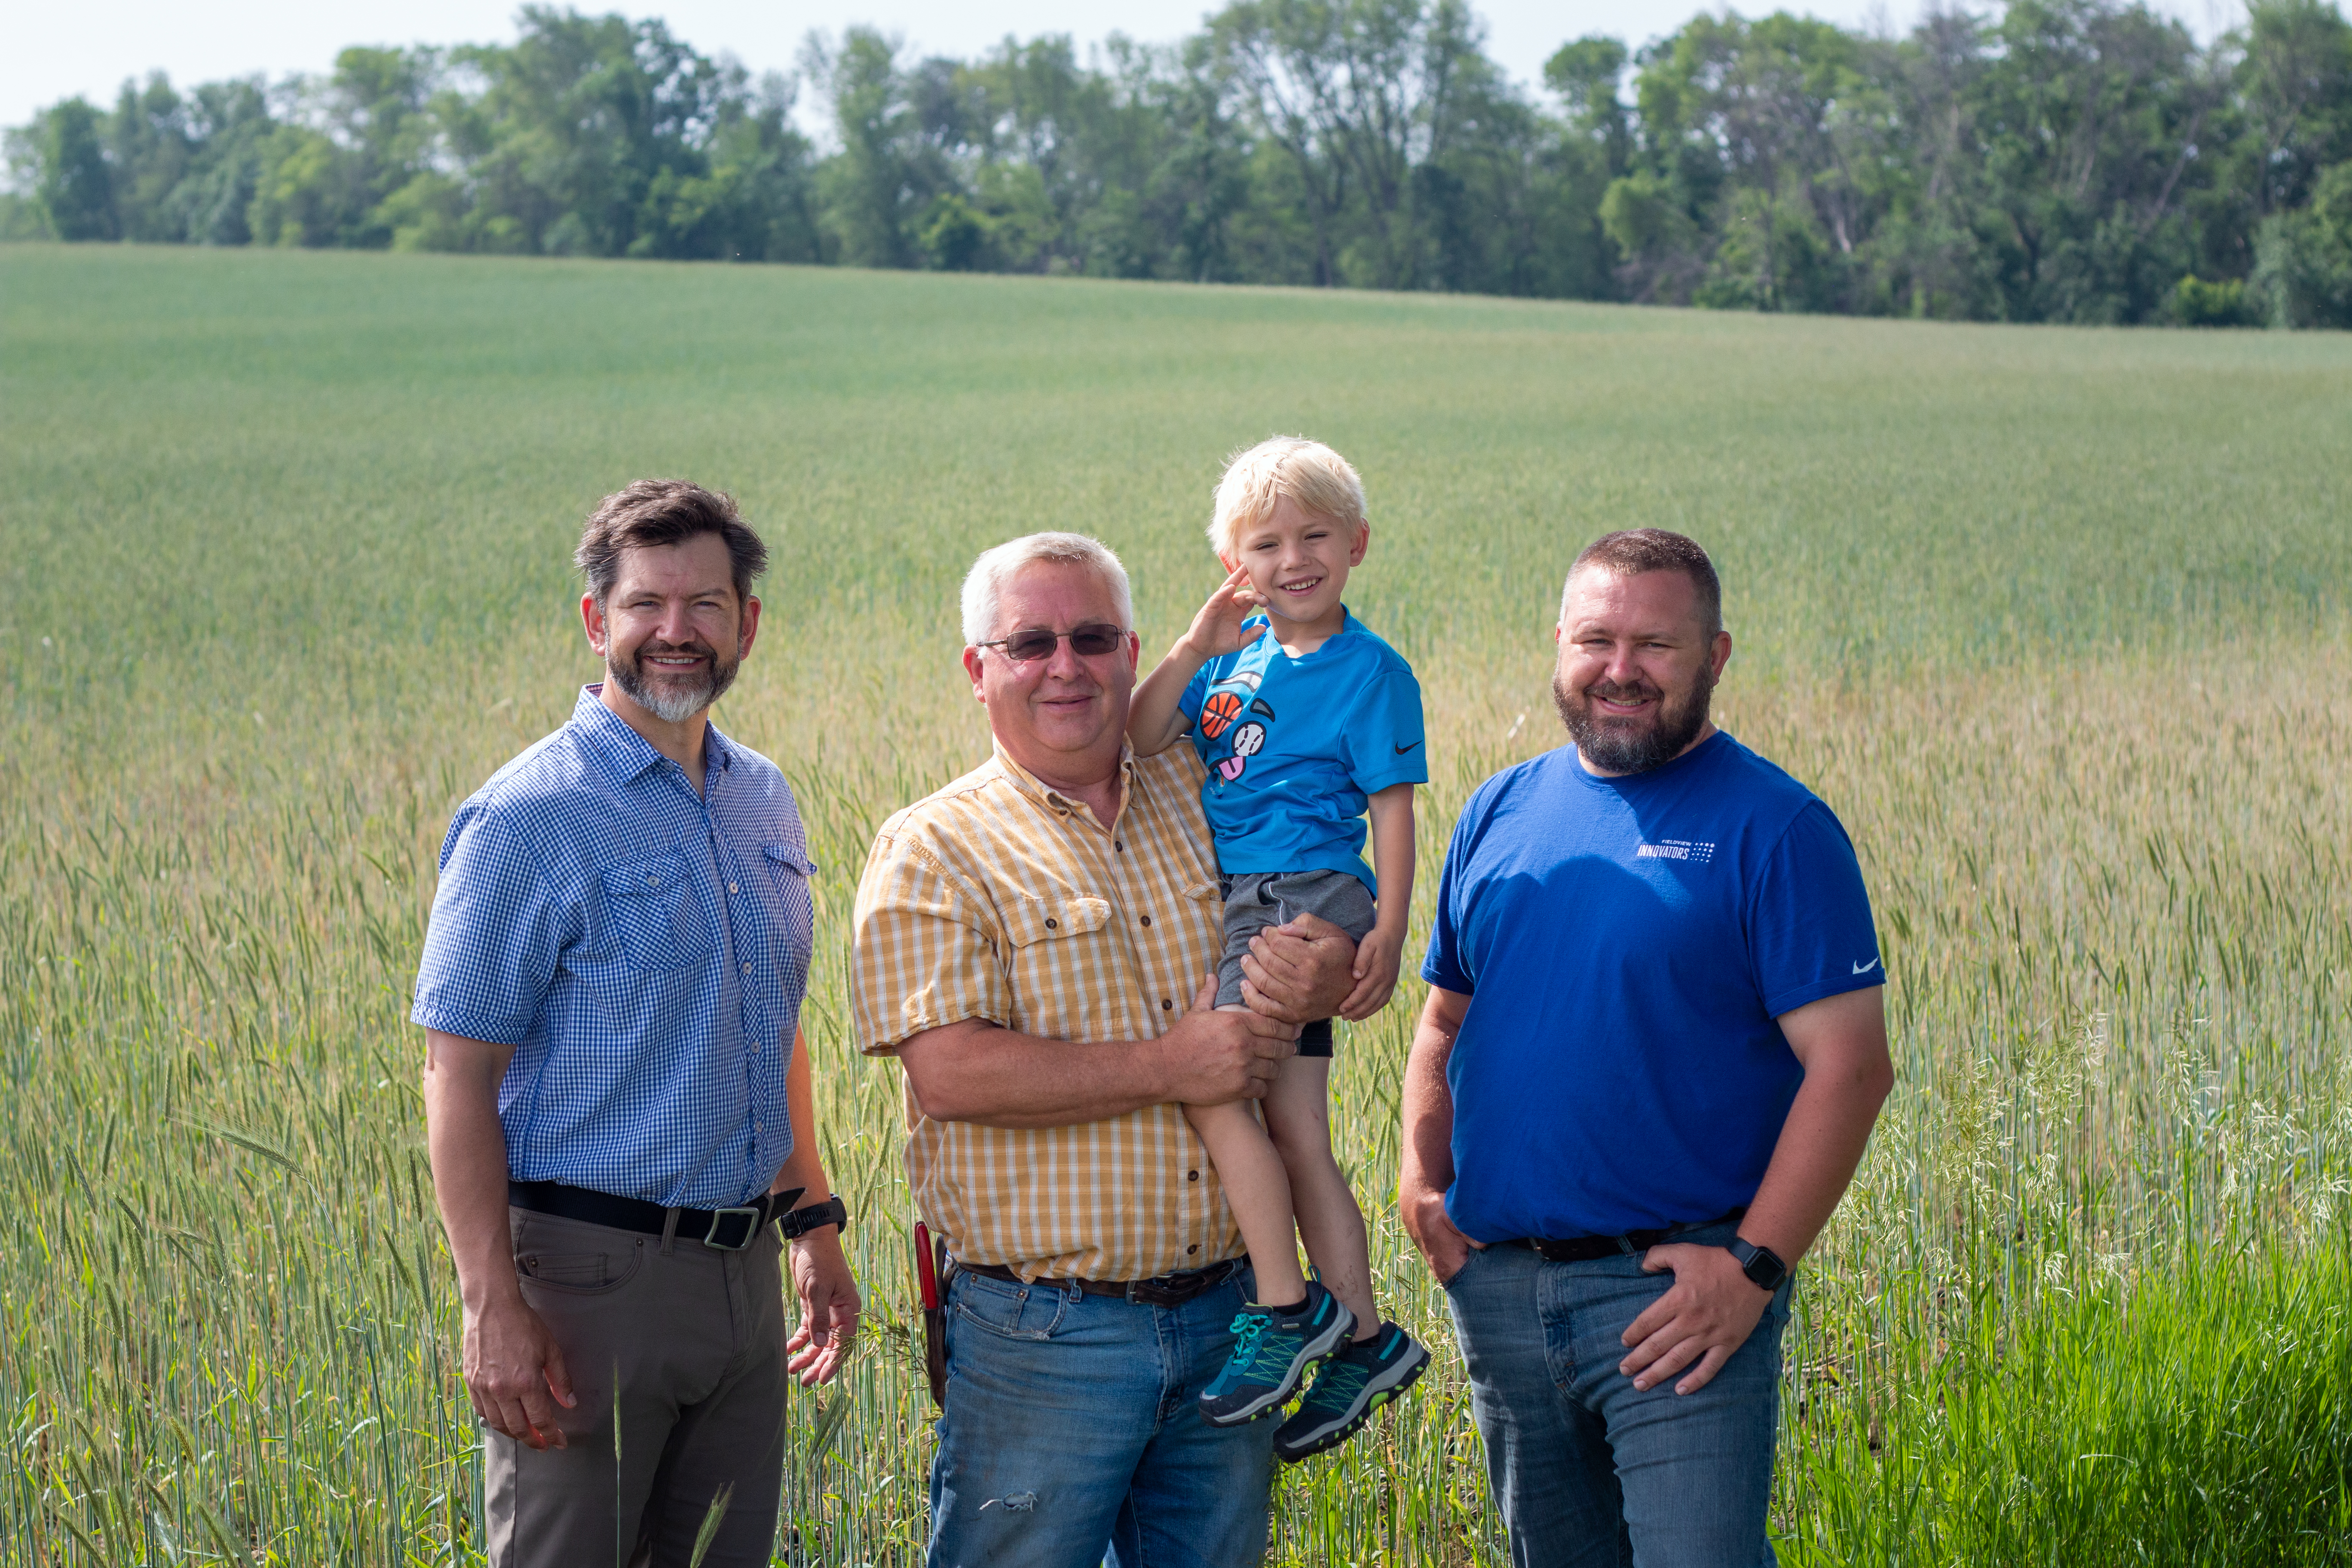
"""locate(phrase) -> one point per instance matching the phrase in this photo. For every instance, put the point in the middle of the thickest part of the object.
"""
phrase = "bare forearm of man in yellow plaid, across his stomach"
(996, 1078)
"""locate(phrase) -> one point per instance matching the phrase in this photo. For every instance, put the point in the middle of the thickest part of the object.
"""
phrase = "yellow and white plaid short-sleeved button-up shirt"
(1008, 902)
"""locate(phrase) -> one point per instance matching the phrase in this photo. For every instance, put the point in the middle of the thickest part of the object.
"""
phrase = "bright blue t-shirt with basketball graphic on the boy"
(1297, 746)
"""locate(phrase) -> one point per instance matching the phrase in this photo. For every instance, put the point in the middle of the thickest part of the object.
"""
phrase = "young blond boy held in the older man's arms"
(1307, 723)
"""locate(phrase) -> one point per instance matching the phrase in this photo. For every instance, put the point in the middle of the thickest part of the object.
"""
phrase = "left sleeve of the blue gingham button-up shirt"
(495, 939)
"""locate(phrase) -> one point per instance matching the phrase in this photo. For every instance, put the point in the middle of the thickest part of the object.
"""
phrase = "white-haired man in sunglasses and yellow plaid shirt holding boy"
(1036, 946)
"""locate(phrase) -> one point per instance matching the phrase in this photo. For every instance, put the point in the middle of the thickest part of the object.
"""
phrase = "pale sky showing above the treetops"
(55, 51)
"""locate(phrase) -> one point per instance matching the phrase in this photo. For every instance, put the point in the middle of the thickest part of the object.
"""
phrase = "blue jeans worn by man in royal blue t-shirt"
(1589, 1470)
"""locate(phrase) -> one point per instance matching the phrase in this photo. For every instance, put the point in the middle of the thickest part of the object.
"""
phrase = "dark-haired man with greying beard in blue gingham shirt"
(617, 1092)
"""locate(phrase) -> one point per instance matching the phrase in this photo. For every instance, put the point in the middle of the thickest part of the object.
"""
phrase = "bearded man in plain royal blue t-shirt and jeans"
(1648, 1068)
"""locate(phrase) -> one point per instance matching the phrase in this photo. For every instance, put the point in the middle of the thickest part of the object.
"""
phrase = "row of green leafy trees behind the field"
(2062, 161)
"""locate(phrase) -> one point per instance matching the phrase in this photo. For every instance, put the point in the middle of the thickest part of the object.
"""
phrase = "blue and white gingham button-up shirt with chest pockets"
(643, 949)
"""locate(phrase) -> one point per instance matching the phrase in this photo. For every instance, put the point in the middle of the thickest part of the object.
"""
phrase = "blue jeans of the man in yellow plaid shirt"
(1074, 1430)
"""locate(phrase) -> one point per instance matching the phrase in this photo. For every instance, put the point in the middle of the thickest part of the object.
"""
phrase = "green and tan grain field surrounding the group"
(2059, 622)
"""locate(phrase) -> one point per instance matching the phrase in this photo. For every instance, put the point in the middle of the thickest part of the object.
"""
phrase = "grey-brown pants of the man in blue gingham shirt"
(676, 1360)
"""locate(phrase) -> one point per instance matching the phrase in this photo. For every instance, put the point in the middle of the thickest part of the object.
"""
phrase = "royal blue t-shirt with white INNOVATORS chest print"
(1626, 946)
